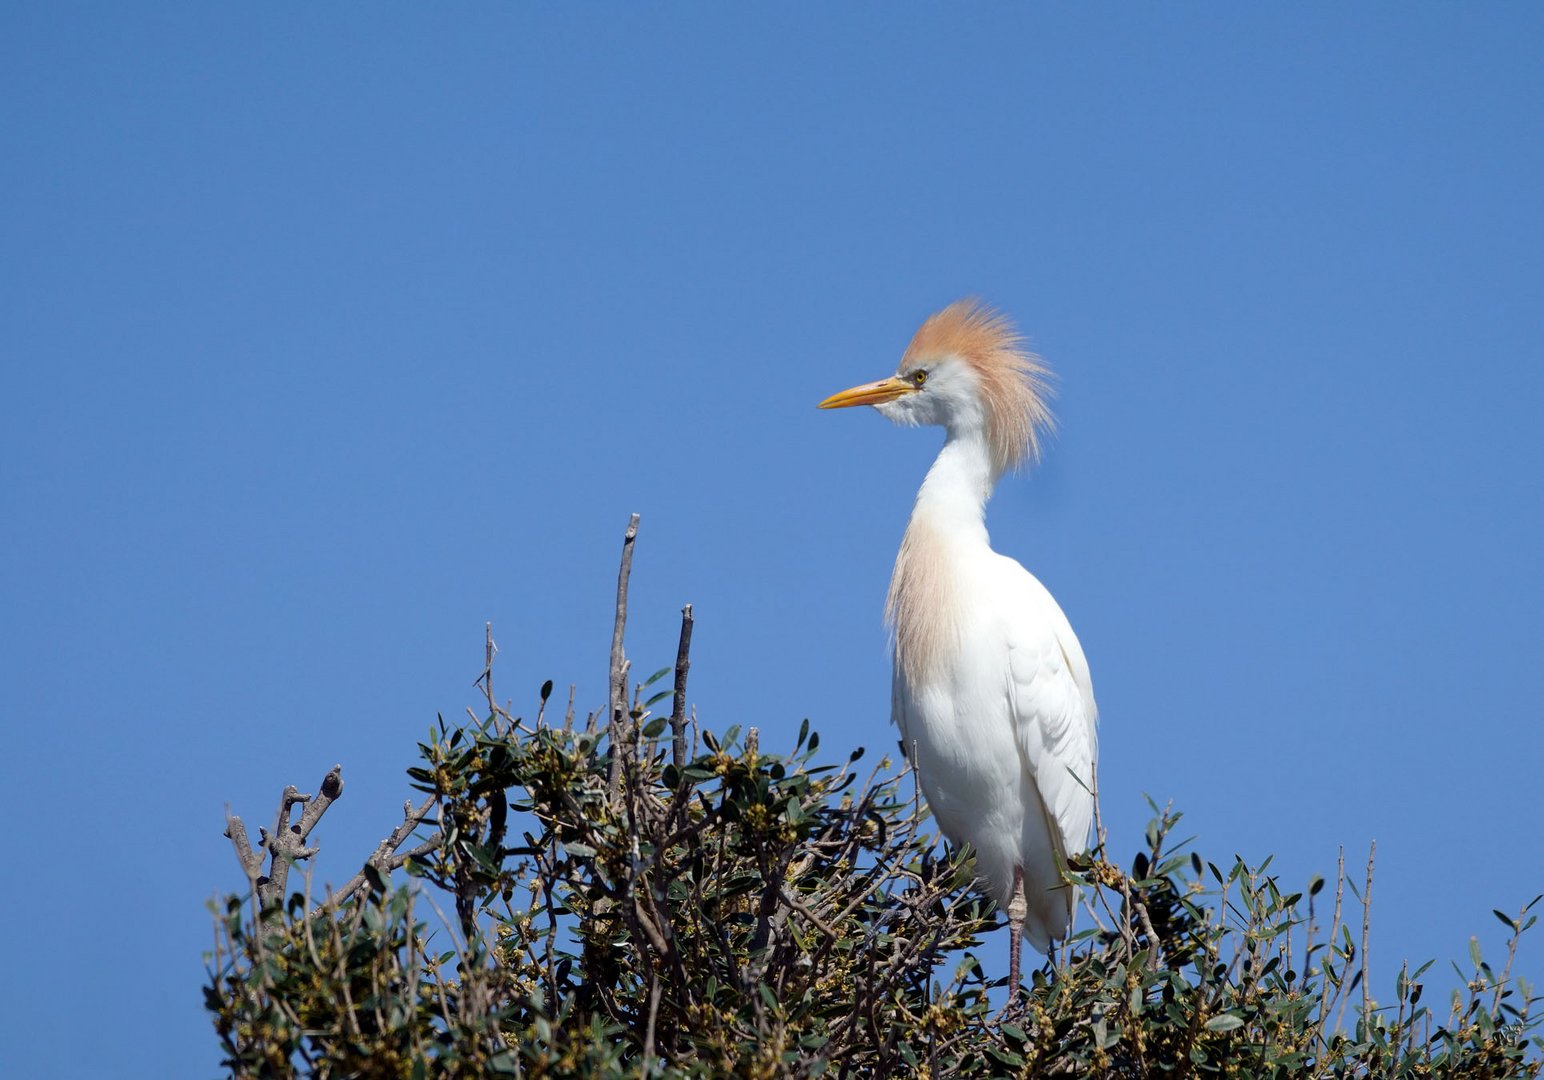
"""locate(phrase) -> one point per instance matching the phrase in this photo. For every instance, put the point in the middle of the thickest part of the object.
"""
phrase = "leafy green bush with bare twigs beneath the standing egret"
(637, 895)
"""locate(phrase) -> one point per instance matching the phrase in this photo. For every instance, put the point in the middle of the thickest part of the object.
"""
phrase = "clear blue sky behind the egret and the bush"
(331, 335)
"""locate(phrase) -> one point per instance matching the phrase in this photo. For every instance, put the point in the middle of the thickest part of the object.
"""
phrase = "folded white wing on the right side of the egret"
(1054, 712)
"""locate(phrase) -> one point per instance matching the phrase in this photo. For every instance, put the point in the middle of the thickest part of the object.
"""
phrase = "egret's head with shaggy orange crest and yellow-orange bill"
(967, 372)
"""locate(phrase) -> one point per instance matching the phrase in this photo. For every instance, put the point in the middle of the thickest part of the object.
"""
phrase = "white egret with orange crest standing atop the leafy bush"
(992, 691)
